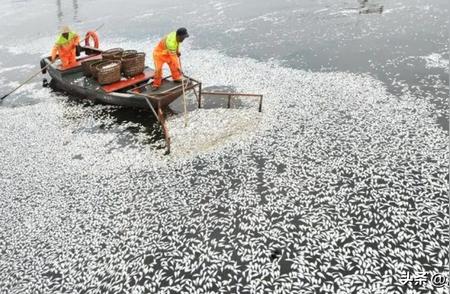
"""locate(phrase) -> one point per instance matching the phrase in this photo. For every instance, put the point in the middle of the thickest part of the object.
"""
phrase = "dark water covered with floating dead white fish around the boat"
(339, 186)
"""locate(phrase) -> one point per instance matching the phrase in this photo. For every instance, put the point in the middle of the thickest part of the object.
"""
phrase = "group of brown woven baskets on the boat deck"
(115, 62)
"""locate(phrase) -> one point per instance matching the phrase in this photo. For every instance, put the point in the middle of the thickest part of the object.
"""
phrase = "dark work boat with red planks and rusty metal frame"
(133, 92)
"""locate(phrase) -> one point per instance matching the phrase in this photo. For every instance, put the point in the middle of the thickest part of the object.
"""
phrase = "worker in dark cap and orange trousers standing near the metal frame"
(168, 51)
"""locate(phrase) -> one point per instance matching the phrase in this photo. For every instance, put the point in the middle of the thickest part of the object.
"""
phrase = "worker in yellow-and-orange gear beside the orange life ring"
(66, 47)
